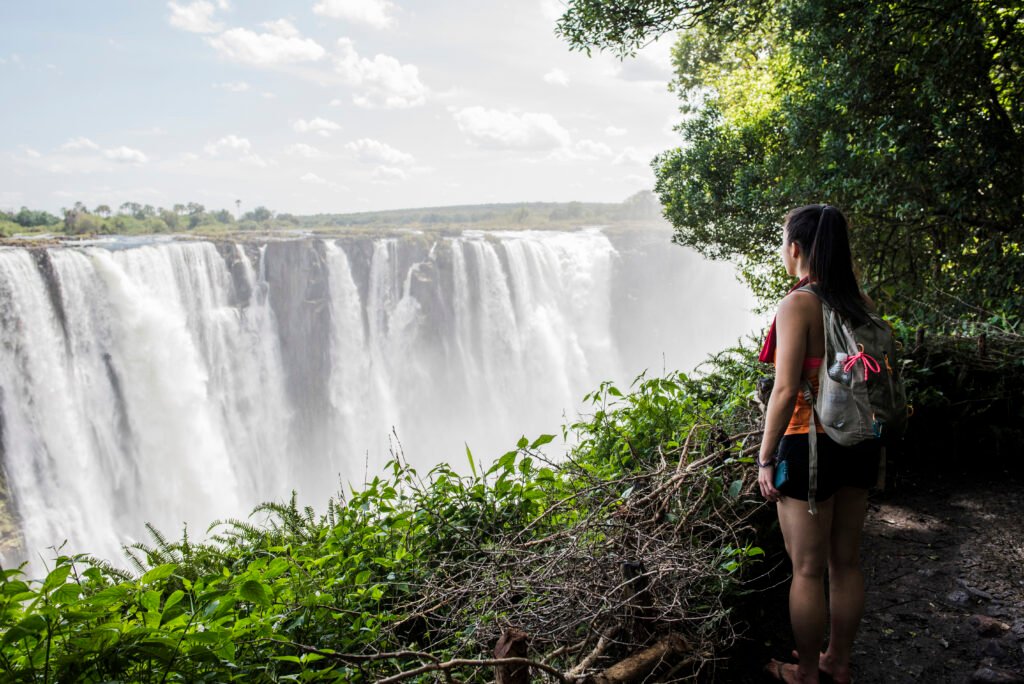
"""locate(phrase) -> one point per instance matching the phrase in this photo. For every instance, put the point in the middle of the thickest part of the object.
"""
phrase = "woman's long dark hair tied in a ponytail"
(824, 235)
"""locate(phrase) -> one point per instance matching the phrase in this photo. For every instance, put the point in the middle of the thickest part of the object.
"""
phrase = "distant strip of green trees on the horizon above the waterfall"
(136, 219)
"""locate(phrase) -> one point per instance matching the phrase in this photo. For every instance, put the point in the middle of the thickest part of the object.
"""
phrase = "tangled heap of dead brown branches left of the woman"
(641, 563)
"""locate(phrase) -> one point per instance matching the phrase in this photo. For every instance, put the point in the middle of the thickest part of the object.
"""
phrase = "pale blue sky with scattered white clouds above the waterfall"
(320, 106)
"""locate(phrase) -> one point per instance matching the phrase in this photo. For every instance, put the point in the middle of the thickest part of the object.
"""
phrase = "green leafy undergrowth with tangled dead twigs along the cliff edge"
(411, 571)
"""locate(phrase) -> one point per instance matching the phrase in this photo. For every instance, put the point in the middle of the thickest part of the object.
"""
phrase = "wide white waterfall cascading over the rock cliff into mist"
(183, 382)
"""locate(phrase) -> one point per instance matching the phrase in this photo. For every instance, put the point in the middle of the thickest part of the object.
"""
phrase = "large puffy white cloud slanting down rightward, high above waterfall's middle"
(385, 81)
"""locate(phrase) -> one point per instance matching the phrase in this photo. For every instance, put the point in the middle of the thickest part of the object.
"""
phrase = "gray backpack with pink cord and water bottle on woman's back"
(861, 392)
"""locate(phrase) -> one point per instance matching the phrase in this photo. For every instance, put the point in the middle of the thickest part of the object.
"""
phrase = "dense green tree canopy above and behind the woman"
(907, 116)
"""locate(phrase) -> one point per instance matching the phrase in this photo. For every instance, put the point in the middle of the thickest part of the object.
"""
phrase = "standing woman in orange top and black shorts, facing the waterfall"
(816, 249)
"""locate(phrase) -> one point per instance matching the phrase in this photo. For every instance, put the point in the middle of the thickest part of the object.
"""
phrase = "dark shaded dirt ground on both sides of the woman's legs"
(944, 560)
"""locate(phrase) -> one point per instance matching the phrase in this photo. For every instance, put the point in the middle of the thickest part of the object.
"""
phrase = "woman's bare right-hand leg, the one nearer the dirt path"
(846, 582)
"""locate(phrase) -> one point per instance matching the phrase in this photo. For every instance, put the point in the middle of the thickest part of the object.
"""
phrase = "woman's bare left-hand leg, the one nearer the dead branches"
(807, 540)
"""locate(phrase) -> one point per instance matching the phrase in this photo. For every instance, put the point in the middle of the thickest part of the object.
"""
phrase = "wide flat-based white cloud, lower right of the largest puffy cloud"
(497, 130)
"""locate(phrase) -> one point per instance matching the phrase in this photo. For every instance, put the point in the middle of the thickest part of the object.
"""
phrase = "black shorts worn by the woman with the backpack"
(856, 466)
